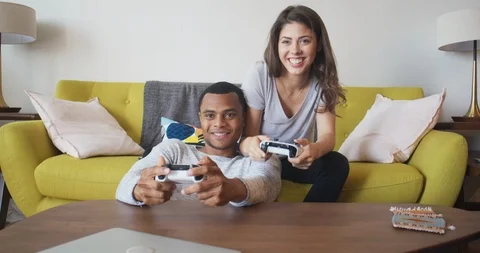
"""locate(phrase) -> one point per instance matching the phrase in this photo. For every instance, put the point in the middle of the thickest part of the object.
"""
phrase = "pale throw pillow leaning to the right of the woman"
(392, 129)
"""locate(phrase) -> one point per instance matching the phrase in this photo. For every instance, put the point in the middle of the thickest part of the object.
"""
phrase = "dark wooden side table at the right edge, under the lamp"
(472, 174)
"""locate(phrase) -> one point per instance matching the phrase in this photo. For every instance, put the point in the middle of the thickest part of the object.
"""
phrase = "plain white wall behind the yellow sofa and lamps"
(377, 43)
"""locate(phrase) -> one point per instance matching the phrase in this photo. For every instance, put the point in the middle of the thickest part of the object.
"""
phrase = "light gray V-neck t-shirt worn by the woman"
(261, 94)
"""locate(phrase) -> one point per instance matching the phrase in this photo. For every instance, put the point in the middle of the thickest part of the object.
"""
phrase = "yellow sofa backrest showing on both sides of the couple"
(124, 101)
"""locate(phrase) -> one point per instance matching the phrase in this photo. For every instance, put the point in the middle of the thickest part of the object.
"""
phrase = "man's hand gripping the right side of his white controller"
(215, 189)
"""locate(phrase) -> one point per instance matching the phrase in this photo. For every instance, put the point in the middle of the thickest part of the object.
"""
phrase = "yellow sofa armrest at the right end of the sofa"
(442, 159)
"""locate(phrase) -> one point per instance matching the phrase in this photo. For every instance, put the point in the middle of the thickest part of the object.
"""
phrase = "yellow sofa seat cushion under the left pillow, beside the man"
(82, 179)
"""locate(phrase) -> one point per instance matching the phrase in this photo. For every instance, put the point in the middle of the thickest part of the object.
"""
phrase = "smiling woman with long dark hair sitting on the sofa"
(292, 97)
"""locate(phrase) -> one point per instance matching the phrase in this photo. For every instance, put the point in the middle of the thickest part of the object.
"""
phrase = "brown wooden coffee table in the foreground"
(269, 227)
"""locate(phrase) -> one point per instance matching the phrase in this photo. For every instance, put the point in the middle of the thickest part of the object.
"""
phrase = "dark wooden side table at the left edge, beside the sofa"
(5, 194)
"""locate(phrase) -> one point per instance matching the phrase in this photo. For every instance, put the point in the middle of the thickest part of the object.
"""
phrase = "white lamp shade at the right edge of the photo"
(457, 30)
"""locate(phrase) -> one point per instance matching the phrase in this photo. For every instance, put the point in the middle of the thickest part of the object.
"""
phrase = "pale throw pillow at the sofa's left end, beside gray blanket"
(83, 129)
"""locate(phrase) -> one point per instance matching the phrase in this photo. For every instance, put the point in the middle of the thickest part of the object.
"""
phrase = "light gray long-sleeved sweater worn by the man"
(262, 179)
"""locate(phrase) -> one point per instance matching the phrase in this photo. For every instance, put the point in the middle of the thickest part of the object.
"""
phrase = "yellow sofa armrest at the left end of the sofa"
(24, 145)
